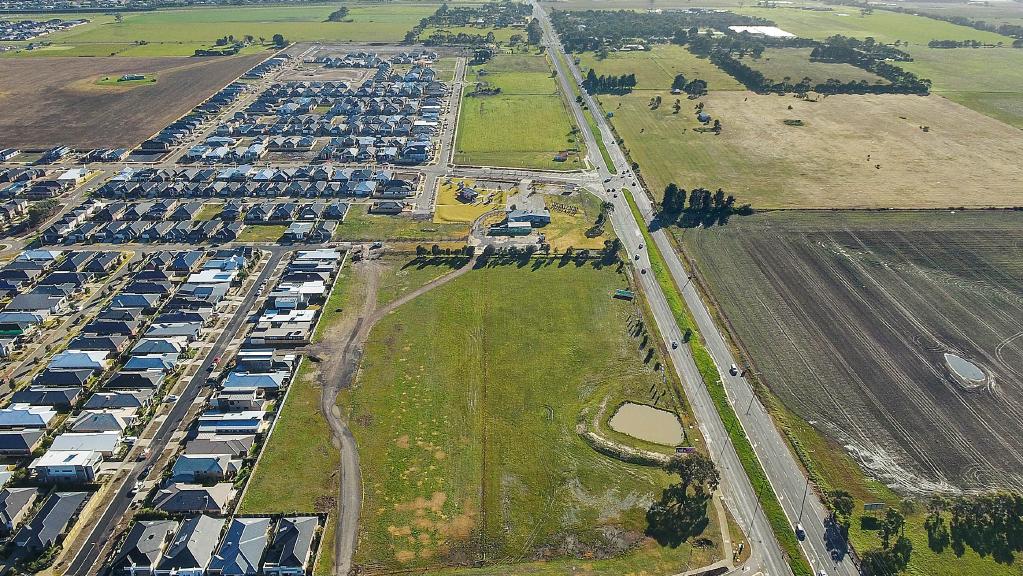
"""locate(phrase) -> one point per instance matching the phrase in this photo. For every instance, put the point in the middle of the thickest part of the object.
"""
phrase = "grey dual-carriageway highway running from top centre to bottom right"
(802, 505)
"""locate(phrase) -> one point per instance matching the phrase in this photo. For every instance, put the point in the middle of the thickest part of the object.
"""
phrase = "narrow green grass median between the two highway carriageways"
(713, 380)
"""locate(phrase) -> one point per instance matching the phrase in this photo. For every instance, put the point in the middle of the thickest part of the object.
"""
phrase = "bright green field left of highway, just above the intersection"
(524, 126)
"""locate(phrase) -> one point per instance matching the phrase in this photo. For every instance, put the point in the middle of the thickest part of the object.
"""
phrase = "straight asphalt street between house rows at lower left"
(103, 531)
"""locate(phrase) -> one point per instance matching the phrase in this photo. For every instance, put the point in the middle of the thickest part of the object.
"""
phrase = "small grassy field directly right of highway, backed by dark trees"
(656, 69)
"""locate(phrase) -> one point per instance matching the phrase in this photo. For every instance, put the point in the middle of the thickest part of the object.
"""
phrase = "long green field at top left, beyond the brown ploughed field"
(180, 32)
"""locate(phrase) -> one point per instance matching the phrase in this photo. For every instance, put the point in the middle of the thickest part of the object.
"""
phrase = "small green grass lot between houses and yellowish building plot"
(361, 226)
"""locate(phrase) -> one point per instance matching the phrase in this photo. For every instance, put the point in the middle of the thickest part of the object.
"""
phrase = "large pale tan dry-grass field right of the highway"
(853, 151)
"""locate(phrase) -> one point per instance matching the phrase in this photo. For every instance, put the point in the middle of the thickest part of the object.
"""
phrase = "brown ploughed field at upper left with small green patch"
(50, 102)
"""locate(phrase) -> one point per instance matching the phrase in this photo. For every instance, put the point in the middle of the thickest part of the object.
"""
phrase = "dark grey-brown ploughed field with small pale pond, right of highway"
(849, 318)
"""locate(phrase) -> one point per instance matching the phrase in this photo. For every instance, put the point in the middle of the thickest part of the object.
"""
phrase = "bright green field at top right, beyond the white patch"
(882, 26)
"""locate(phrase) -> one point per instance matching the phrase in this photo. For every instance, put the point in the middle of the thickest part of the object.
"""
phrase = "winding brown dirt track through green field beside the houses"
(338, 370)
